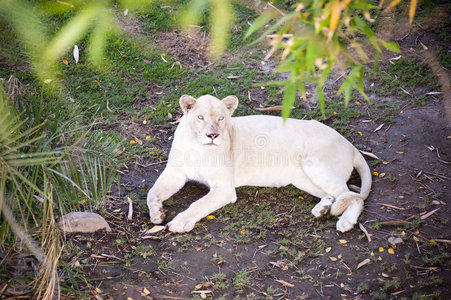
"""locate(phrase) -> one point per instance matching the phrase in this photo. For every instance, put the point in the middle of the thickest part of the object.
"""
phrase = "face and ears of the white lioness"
(208, 117)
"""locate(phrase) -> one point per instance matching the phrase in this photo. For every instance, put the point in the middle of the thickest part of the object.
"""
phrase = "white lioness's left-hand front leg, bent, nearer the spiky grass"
(169, 182)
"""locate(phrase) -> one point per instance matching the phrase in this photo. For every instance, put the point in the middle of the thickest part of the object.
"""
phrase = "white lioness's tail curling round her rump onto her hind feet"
(344, 200)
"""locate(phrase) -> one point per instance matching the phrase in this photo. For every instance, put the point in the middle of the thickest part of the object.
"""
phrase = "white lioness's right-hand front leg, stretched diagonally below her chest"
(214, 200)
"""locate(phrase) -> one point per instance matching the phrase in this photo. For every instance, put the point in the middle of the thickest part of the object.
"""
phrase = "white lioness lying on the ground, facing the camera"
(223, 153)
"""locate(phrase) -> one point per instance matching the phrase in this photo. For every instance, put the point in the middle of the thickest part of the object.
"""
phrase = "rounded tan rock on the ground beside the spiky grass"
(84, 222)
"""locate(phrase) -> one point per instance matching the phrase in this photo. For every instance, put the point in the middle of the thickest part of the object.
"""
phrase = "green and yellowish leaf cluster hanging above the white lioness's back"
(315, 38)
